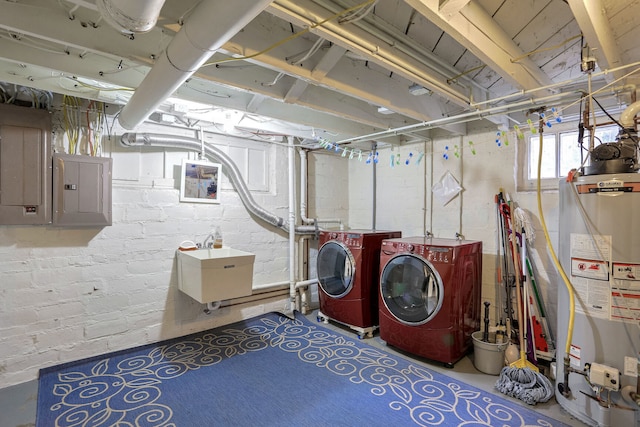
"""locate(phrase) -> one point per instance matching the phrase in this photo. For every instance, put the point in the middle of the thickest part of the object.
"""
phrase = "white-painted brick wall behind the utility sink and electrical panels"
(70, 293)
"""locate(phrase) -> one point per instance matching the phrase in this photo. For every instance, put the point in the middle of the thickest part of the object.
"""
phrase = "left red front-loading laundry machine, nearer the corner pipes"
(348, 268)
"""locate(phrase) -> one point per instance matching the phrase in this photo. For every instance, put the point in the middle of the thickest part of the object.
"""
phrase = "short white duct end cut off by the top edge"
(130, 16)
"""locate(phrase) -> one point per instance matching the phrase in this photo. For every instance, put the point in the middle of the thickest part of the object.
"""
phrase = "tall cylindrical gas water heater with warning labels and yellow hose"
(599, 250)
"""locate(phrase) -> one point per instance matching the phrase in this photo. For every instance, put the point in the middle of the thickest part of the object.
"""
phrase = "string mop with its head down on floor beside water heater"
(521, 379)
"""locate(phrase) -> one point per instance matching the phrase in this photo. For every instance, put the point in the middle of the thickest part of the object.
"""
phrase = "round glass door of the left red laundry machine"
(336, 268)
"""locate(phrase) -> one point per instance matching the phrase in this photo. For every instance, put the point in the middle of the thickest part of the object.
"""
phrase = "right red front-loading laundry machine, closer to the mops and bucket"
(430, 296)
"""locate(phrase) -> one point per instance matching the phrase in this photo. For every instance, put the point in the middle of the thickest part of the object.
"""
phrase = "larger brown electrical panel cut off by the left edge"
(25, 166)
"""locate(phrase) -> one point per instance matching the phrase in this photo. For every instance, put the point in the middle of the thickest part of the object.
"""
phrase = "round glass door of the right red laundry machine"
(411, 289)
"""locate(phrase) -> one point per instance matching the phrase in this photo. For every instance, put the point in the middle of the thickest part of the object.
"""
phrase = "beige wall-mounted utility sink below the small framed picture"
(209, 275)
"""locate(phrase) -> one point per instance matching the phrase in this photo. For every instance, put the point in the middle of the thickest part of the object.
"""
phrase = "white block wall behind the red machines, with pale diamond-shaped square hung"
(405, 202)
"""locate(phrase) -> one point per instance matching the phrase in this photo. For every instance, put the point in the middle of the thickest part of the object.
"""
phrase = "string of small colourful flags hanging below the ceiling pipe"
(373, 157)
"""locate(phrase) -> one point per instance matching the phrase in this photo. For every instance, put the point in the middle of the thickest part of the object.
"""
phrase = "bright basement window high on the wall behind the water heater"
(561, 152)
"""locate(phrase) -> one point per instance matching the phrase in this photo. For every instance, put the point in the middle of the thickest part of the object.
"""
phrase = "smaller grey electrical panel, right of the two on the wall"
(81, 190)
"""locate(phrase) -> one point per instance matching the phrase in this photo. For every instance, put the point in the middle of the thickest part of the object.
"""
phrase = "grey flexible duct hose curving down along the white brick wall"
(192, 144)
